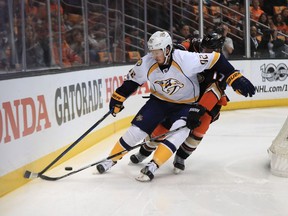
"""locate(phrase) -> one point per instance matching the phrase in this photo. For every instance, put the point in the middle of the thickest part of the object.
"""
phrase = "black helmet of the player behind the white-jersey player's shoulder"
(212, 41)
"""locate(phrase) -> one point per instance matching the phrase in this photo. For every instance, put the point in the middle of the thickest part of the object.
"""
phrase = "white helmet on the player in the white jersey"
(160, 40)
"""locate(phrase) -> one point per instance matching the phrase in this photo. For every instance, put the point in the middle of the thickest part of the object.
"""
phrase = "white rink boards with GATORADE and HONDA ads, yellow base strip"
(40, 121)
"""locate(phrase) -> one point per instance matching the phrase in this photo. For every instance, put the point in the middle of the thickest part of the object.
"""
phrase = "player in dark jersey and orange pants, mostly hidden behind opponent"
(212, 97)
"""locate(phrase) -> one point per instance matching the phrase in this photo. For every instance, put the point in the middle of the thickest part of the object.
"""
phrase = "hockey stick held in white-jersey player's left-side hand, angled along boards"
(28, 174)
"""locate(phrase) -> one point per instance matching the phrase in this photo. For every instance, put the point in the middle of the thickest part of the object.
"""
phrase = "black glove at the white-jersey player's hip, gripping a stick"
(194, 115)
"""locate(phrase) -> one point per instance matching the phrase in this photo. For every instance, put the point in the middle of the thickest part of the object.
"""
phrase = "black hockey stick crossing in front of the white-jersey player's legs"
(48, 178)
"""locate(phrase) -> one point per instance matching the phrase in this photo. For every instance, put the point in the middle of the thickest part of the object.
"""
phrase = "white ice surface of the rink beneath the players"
(228, 175)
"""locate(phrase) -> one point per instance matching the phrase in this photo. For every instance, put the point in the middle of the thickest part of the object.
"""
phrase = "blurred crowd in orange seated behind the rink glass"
(37, 35)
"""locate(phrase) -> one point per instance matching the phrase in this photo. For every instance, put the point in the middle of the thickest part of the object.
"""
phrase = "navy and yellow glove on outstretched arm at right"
(241, 84)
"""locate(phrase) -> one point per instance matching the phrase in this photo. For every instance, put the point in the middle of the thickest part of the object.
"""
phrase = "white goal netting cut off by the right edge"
(278, 152)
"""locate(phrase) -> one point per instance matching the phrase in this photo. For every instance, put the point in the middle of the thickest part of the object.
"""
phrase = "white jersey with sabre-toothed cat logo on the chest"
(178, 83)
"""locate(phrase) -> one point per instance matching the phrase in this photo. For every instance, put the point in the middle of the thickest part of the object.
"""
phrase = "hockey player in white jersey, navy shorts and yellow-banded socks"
(174, 88)
